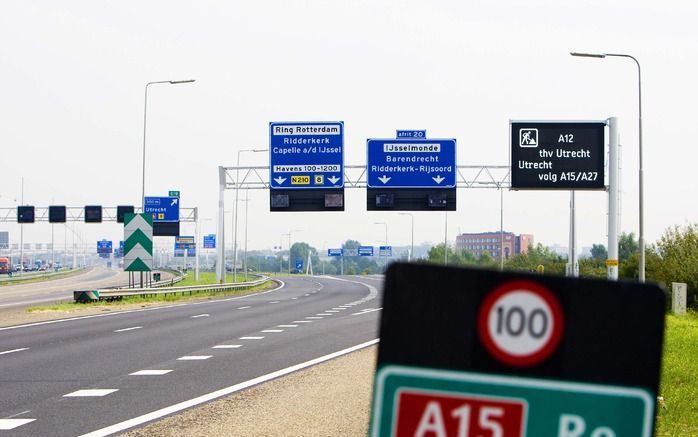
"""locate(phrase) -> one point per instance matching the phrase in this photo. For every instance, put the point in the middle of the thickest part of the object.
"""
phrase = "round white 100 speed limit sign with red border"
(520, 323)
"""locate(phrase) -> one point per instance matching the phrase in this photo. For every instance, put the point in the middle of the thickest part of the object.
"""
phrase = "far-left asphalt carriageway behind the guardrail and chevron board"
(34, 293)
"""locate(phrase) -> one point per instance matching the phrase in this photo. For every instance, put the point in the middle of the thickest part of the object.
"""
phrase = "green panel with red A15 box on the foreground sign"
(412, 401)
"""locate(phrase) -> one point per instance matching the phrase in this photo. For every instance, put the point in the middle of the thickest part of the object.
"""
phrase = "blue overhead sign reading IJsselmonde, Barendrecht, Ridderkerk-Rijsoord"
(411, 163)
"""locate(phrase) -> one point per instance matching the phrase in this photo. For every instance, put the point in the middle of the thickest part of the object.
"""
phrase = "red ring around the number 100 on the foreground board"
(536, 292)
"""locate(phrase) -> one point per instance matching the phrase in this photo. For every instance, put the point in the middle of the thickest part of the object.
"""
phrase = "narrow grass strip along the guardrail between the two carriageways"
(153, 299)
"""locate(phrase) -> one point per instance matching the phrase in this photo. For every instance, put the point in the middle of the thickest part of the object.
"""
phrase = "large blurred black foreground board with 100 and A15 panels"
(469, 353)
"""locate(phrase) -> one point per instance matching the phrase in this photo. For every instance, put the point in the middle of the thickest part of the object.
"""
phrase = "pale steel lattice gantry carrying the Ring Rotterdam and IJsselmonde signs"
(257, 178)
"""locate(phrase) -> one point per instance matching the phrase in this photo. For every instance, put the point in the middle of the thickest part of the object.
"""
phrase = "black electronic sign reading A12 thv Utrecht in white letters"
(557, 155)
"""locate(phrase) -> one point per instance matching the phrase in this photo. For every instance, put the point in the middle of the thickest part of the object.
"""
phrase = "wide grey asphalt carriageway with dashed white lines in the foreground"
(307, 318)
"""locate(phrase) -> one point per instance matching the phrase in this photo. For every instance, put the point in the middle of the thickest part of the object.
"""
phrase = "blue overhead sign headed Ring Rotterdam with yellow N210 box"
(306, 155)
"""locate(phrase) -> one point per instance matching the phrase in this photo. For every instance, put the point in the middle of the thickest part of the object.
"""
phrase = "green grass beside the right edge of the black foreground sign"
(678, 416)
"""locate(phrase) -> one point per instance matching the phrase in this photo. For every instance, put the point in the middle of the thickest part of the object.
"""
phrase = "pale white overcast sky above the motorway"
(72, 76)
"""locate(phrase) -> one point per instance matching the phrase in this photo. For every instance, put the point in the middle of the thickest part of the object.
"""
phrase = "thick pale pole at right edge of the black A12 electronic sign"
(613, 210)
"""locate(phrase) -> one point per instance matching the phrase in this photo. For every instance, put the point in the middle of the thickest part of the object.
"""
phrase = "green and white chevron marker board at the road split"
(138, 242)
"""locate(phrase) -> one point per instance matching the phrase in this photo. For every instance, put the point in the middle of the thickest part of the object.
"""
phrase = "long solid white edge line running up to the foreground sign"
(121, 426)
